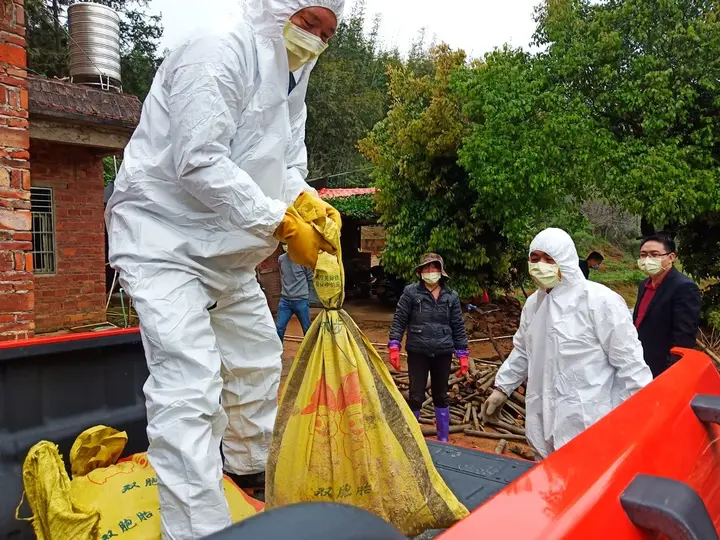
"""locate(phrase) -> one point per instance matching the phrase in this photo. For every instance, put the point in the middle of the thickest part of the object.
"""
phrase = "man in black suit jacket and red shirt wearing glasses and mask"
(667, 313)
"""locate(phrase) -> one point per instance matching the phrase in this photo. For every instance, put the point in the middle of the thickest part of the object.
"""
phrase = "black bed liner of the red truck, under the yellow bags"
(55, 390)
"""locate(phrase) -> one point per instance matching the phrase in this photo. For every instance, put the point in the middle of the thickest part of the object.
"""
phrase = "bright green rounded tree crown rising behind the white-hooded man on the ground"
(527, 167)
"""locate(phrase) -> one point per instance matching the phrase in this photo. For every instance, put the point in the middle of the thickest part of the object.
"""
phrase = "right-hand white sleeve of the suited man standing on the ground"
(619, 340)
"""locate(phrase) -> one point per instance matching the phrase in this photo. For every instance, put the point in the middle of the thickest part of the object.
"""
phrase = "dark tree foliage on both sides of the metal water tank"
(48, 51)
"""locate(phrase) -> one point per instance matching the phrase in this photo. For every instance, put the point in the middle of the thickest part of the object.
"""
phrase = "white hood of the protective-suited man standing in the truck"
(268, 17)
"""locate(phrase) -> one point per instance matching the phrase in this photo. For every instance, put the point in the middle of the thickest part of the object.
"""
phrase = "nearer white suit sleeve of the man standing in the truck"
(203, 108)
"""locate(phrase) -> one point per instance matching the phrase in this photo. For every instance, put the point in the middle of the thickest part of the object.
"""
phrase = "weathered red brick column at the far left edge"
(16, 278)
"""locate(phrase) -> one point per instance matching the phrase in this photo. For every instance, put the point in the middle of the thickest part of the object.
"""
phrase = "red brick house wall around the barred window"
(75, 294)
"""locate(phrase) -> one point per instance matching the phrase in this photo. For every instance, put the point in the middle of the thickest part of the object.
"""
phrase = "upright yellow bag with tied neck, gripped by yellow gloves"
(344, 432)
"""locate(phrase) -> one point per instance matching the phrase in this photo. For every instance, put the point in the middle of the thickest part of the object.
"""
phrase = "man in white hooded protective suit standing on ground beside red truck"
(576, 347)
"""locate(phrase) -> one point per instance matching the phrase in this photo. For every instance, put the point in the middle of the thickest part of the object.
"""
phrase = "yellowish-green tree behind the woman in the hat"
(424, 194)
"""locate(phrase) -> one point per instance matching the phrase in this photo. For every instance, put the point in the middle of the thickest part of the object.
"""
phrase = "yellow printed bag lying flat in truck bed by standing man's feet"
(106, 498)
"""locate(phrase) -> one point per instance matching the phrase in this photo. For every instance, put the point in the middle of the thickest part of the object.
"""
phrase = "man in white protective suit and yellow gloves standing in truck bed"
(205, 192)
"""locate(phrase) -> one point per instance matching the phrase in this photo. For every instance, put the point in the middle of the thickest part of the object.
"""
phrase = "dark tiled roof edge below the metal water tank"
(52, 97)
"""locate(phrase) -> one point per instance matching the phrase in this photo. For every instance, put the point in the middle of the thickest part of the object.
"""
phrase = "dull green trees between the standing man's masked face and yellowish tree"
(347, 96)
